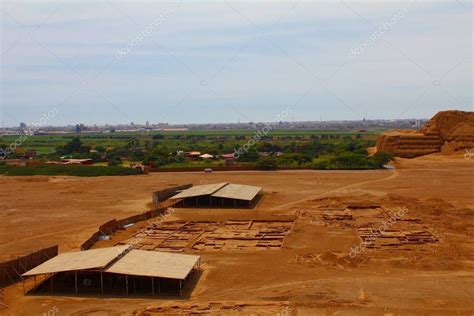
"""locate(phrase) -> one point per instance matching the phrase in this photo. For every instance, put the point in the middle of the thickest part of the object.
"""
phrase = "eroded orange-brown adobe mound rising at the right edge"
(446, 132)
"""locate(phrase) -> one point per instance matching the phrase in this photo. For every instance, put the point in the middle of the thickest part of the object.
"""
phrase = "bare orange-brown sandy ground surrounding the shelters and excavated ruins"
(312, 274)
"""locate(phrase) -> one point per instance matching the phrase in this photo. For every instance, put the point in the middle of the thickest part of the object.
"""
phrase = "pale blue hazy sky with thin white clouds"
(103, 62)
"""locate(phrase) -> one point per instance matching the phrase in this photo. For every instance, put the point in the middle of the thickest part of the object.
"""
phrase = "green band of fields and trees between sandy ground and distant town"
(276, 150)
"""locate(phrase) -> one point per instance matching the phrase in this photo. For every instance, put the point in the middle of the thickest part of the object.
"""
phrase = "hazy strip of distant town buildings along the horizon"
(362, 125)
